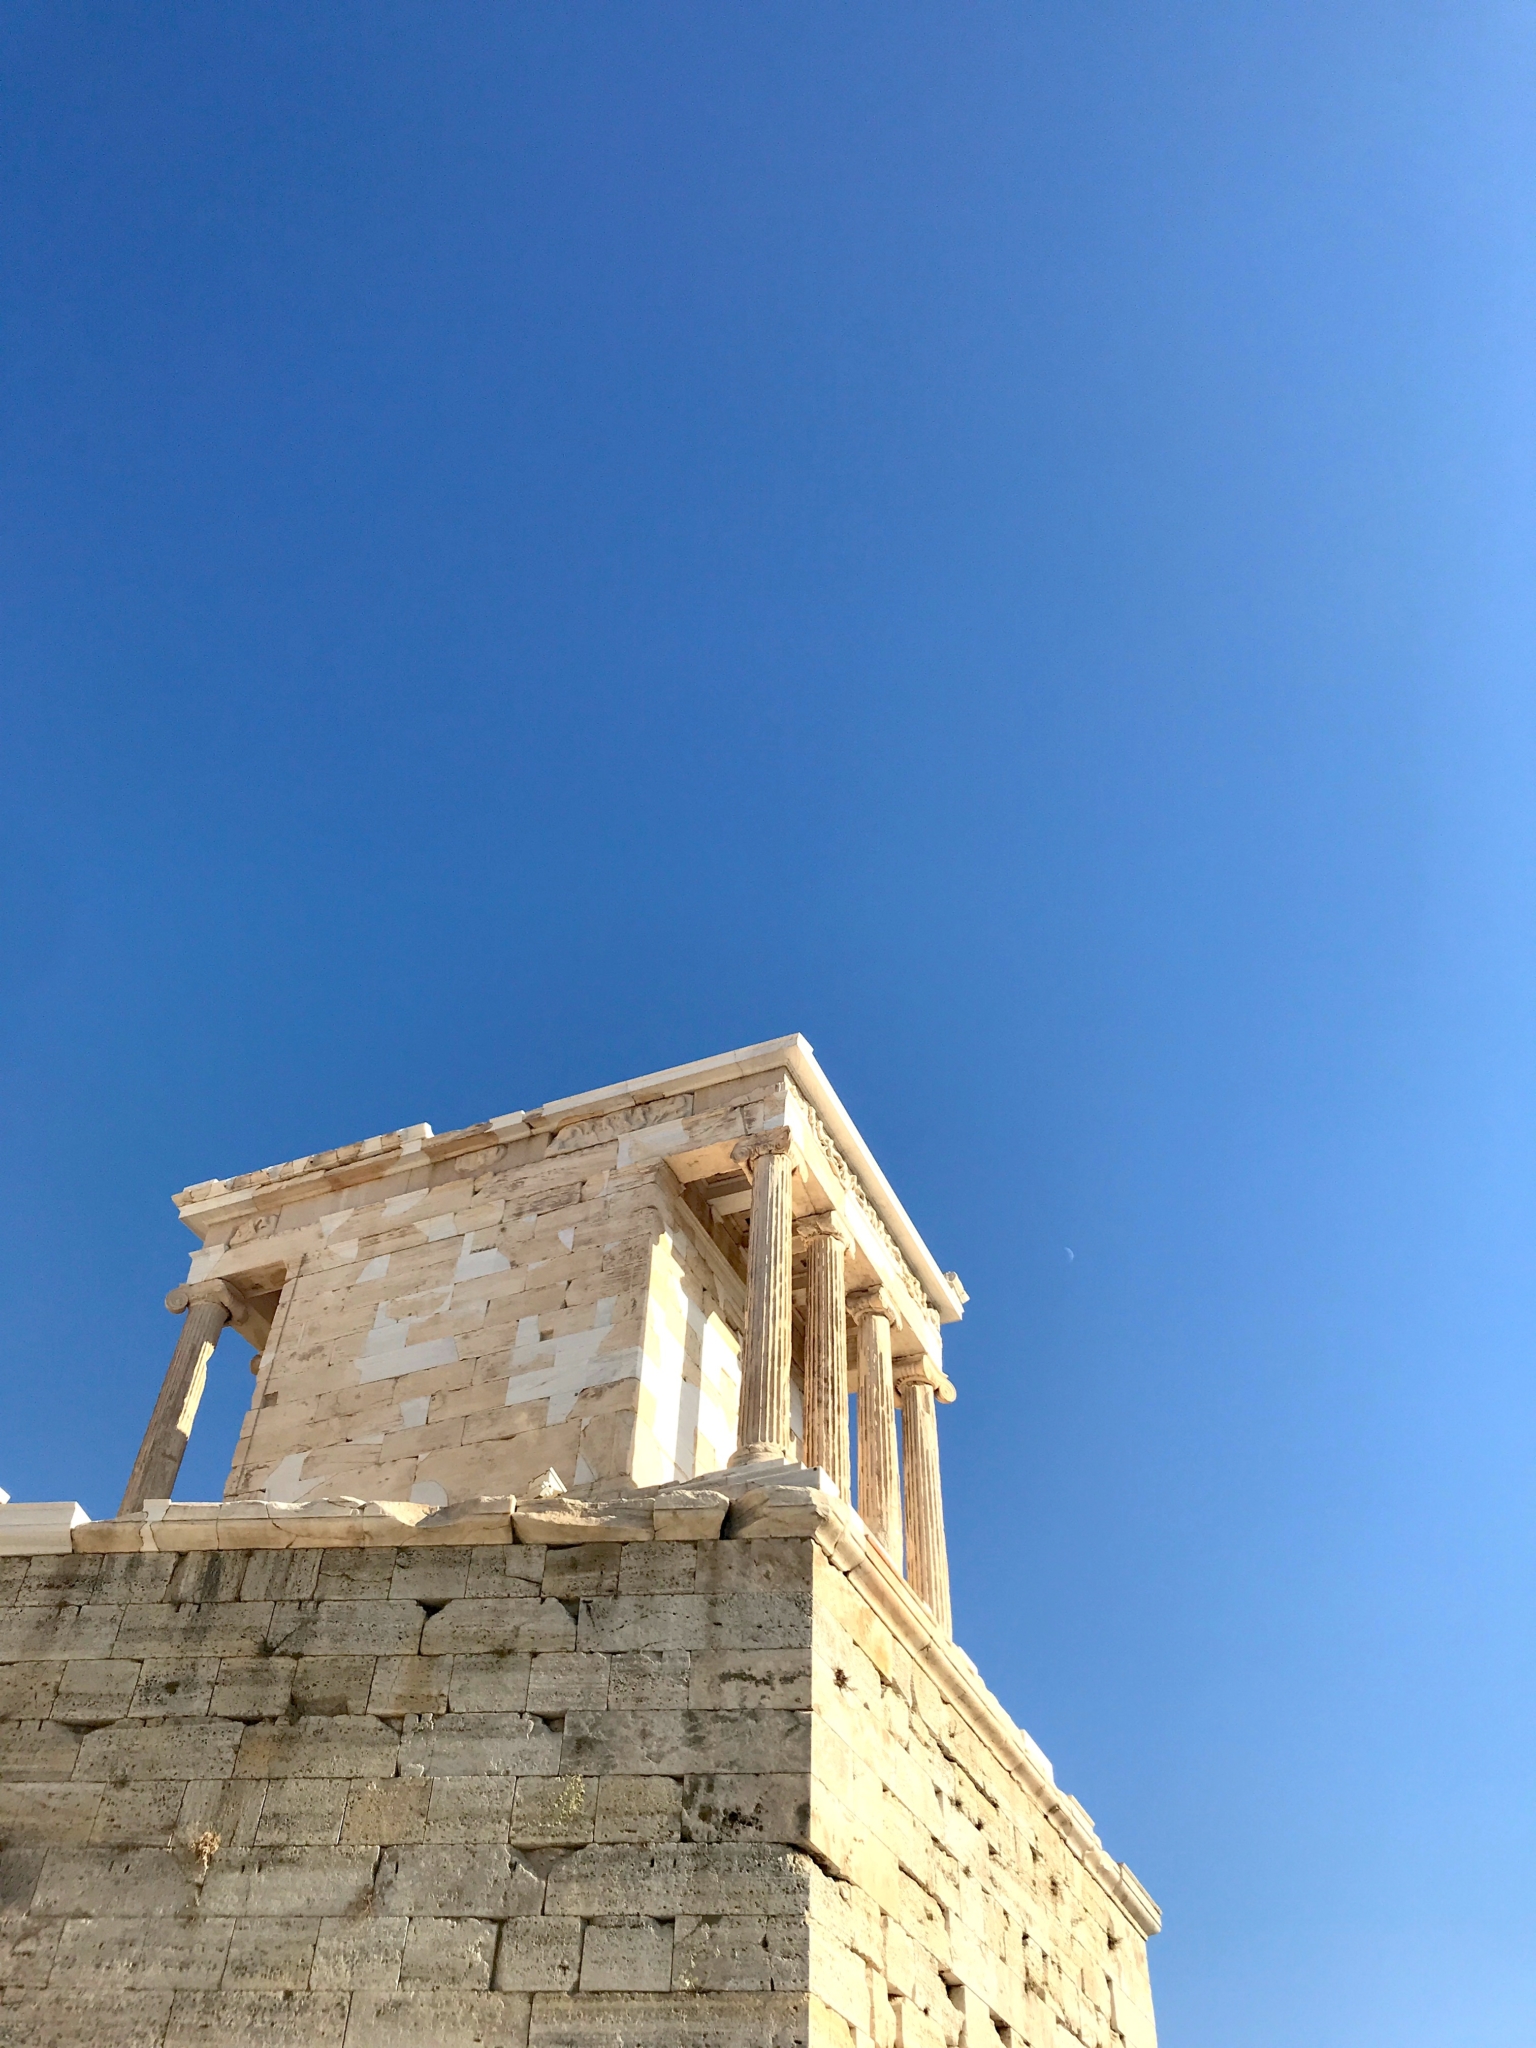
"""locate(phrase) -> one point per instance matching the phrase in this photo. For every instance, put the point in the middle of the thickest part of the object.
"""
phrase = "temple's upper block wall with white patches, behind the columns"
(468, 1334)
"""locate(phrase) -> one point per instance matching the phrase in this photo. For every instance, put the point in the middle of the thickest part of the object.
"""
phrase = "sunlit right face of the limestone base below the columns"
(968, 1895)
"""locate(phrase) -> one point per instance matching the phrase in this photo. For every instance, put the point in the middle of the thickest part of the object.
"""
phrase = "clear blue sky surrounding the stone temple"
(550, 542)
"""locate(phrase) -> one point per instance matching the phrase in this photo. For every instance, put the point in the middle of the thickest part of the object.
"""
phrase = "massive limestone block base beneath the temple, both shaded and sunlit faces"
(630, 1793)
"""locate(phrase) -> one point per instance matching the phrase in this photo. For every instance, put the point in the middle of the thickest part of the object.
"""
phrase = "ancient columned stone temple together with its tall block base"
(568, 1662)
